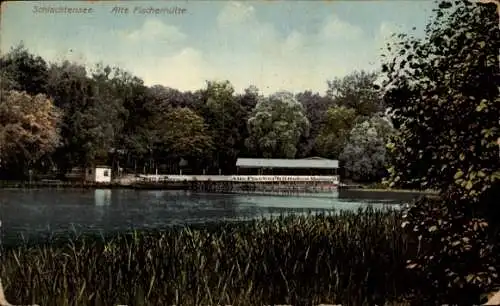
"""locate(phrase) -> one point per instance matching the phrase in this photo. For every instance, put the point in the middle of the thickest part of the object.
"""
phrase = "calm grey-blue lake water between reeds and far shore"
(34, 212)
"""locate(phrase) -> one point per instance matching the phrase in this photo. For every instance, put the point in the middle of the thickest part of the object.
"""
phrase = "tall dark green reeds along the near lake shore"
(353, 258)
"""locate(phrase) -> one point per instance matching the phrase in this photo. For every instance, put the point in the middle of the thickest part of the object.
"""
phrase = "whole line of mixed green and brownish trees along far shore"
(57, 116)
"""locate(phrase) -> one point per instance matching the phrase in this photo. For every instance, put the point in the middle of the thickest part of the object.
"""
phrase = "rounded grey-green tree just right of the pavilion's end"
(364, 155)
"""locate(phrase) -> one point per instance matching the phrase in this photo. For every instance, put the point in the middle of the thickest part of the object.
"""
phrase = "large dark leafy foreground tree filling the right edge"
(443, 94)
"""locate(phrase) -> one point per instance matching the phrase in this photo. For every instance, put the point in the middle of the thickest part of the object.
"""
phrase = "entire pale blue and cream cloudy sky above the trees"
(275, 45)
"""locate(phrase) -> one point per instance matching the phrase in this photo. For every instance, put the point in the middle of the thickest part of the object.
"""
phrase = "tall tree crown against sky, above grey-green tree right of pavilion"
(357, 91)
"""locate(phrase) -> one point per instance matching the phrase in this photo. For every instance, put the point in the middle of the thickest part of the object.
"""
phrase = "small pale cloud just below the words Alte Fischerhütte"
(154, 30)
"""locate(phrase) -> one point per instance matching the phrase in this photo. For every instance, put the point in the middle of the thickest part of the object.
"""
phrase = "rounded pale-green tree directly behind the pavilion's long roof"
(276, 126)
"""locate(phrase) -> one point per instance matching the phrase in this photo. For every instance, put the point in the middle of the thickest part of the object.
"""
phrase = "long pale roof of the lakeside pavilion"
(287, 163)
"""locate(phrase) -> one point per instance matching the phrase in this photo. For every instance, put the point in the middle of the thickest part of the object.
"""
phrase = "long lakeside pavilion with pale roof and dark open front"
(275, 166)
